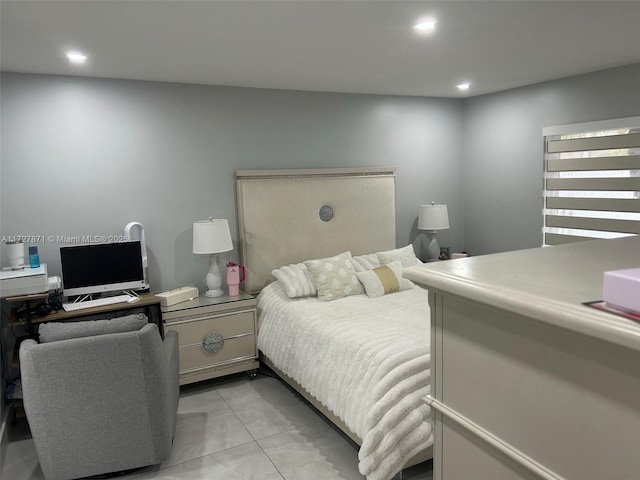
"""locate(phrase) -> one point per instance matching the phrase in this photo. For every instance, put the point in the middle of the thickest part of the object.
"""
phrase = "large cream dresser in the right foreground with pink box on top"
(528, 383)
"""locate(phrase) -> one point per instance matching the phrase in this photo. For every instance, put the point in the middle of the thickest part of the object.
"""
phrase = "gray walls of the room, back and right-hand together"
(86, 156)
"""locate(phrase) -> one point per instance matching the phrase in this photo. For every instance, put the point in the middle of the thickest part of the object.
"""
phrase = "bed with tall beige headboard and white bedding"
(363, 362)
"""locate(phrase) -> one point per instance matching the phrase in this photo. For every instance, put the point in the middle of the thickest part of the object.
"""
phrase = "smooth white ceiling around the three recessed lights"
(361, 46)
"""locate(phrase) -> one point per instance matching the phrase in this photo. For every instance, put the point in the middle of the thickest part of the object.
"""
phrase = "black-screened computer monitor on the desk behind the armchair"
(102, 268)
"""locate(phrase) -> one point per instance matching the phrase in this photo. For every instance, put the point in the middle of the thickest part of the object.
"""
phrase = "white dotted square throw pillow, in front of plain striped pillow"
(334, 277)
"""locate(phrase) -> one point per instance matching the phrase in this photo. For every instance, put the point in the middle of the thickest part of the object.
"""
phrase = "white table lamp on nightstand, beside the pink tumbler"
(211, 237)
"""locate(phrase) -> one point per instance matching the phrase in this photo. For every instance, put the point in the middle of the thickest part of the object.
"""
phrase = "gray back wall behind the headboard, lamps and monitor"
(83, 156)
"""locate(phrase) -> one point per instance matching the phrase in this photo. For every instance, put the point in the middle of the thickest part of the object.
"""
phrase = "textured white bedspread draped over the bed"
(367, 360)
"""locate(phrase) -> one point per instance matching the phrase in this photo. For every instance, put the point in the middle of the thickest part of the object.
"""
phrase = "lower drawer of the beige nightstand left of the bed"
(196, 356)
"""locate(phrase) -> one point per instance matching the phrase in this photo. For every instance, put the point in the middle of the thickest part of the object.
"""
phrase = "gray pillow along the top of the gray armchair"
(55, 331)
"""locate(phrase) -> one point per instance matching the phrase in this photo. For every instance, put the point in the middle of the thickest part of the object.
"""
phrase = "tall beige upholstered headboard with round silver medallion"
(288, 216)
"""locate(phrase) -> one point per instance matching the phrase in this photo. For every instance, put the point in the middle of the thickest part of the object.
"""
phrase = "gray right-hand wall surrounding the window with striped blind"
(503, 150)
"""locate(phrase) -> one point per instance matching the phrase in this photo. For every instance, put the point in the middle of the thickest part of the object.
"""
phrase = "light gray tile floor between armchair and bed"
(237, 428)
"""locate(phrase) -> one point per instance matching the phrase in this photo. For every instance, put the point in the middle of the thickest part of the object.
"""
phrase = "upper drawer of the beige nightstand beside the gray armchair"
(193, 331)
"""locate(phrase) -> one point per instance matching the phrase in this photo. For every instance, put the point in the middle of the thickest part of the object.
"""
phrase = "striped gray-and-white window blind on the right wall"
(591, 181)
